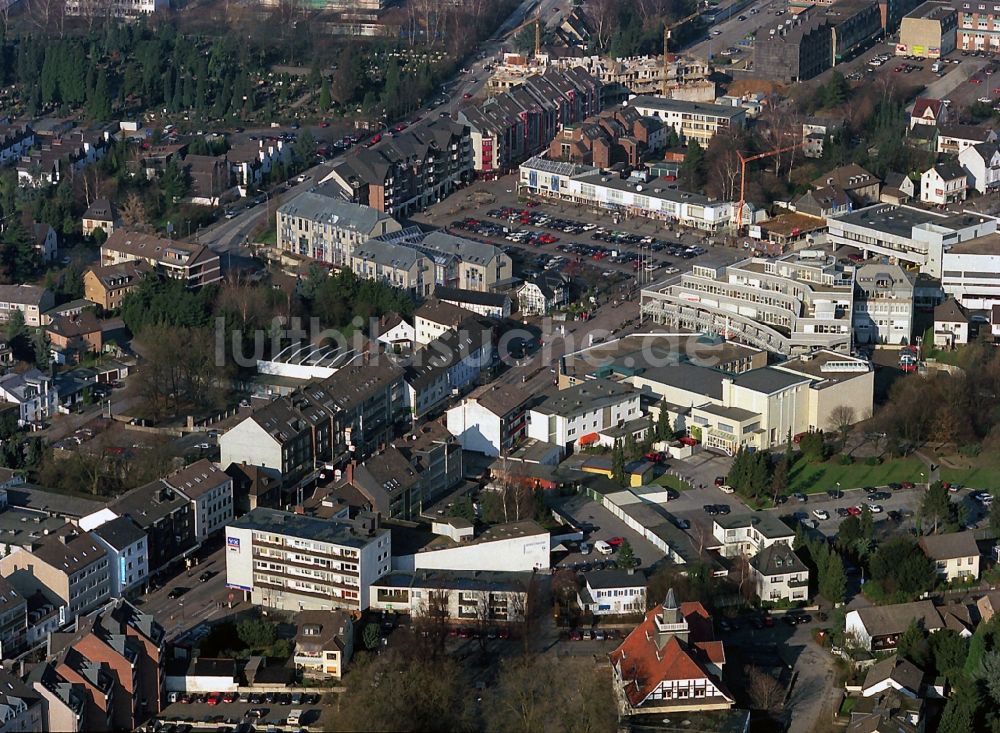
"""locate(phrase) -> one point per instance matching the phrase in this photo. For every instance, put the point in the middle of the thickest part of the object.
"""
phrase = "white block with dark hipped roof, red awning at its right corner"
(565, 416)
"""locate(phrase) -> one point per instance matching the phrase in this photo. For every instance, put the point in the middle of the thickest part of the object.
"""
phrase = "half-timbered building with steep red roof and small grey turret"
(671, 662)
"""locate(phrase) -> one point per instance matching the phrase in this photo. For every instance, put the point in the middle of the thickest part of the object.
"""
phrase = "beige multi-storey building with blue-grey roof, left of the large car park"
(328, 229)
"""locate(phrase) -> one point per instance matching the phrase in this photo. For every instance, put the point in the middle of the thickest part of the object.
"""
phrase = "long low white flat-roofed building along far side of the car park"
(651, 199)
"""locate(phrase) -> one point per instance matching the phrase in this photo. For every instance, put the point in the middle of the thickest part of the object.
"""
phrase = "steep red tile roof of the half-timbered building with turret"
(643, 667)
